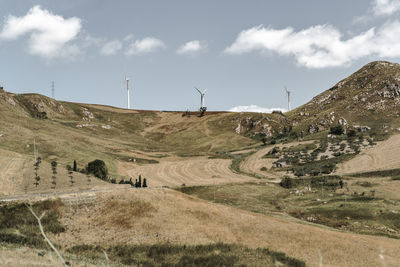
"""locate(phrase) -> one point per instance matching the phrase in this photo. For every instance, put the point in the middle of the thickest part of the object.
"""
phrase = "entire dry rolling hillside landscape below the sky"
(251, 181)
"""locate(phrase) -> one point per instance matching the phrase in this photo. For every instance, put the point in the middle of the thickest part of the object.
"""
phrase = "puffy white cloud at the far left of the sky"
(49, 34)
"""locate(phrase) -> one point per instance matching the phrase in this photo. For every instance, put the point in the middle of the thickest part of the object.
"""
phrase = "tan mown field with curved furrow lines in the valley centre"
(188, 171)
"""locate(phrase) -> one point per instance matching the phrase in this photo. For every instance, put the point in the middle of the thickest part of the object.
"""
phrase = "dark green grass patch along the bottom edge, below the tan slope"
(218, 254)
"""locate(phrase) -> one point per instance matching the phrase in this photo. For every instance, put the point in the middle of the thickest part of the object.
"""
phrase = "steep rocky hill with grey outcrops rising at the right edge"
(367, 100)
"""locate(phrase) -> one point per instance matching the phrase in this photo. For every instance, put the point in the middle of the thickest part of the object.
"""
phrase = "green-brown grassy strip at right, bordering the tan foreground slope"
(320, 200)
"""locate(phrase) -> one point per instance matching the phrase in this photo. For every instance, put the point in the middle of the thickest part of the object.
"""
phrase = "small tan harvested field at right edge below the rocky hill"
(385, 155)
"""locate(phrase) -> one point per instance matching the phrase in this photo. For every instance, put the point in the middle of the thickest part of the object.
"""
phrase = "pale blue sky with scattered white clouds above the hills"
(243, 52)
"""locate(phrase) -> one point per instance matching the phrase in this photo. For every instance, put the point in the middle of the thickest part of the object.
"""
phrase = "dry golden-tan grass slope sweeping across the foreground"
(114, 218)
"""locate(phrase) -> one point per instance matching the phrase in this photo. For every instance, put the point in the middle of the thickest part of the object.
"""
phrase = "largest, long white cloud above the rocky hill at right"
(320, 46)
